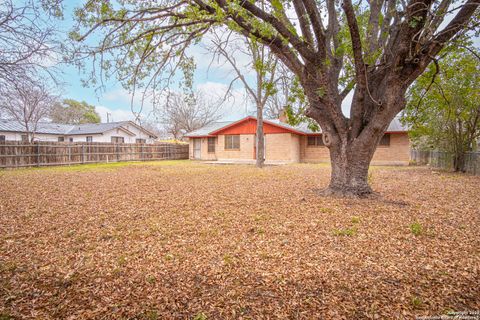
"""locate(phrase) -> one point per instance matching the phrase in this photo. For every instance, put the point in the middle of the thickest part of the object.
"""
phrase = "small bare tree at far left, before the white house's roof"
(27, 105)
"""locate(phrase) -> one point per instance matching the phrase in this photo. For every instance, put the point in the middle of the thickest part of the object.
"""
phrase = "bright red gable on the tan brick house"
(248, 125)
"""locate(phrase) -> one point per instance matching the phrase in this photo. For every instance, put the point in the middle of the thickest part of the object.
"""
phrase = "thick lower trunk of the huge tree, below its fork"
(350, 170)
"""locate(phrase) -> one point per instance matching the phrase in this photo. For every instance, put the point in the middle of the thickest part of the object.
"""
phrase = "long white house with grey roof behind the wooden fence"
(118, 132)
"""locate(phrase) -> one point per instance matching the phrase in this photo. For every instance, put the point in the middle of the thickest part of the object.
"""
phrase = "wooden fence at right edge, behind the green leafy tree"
(445, 160)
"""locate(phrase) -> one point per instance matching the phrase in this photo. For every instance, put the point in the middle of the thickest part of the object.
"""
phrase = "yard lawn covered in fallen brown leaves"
(189, 240)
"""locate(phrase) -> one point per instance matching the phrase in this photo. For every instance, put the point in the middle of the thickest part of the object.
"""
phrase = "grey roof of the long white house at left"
(67, 129)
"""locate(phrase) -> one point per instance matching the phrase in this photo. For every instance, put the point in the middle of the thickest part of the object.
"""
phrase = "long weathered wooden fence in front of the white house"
(15, 154)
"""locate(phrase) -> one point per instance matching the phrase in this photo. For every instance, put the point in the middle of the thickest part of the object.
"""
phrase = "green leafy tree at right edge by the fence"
(444, 104)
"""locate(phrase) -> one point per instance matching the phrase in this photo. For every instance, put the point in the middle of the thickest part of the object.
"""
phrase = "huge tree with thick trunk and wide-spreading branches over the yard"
(325, 44)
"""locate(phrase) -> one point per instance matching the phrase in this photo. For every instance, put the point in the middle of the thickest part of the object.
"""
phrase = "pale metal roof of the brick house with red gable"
(216, 127)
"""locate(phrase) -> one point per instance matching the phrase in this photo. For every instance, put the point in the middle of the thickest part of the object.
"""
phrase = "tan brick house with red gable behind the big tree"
(235, 141)
